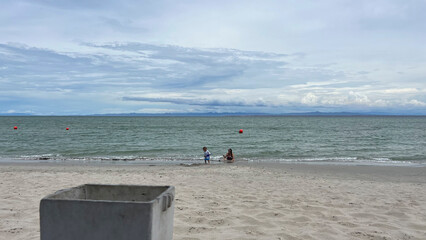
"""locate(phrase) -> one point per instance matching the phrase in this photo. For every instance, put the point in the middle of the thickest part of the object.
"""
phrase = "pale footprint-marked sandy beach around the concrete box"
(242, 201)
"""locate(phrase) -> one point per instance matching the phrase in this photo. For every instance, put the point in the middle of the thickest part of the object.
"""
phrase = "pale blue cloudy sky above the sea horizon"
(223, 56)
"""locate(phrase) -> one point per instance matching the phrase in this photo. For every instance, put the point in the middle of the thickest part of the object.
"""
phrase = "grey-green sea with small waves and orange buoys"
(377, 140)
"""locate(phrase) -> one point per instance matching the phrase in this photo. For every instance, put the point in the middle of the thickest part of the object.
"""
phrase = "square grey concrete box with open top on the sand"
(108, 212)
